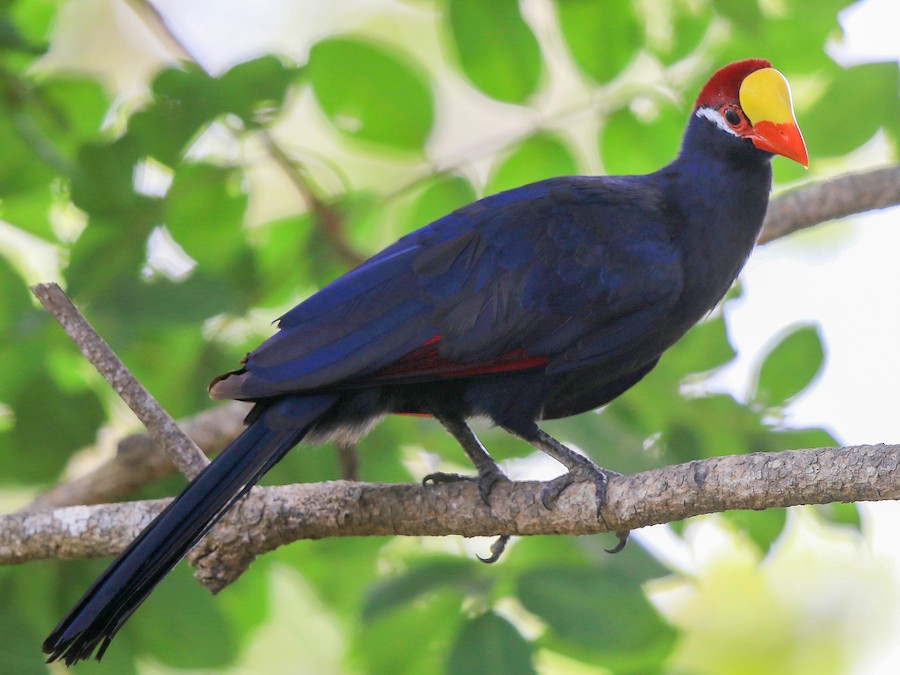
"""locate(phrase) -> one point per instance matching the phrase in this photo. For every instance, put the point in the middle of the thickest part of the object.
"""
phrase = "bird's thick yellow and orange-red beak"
(766, 100)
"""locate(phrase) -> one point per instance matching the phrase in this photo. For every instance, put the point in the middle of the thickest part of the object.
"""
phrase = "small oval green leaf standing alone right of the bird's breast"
(789, 367)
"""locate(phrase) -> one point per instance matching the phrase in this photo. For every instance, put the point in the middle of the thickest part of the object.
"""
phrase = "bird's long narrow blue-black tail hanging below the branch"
(127, 582)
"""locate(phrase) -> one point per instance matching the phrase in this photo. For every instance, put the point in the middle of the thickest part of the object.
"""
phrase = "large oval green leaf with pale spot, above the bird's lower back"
(371, 93)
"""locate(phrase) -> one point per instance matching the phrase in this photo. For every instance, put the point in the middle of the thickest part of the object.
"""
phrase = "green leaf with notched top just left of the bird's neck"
(629, 145)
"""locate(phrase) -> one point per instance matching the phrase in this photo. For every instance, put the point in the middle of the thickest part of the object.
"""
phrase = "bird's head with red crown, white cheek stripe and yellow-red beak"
(750, 99)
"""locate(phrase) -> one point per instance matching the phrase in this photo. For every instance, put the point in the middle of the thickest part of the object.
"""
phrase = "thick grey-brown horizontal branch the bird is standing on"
(271, 517)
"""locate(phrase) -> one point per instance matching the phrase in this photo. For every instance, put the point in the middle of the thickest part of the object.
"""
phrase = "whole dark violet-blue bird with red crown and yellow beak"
(541, 302)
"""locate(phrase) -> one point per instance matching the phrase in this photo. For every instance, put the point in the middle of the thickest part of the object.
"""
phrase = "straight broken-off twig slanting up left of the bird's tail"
(162, 428)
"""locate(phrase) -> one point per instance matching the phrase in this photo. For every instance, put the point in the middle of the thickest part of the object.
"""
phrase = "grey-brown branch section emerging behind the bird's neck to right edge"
(831, 199)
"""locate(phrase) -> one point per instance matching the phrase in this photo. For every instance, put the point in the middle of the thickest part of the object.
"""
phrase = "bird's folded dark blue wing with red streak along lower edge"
(510, 282)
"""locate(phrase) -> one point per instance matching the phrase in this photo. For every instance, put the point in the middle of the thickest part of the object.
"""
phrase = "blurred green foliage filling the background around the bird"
(135, 175)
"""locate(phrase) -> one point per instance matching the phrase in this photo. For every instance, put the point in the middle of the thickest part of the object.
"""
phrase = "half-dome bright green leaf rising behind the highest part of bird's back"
(542, 156)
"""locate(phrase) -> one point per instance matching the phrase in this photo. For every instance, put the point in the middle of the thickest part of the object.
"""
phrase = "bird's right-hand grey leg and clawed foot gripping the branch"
(580, 468)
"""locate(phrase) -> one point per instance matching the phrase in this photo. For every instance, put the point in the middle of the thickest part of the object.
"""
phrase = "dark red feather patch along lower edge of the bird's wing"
(426, 362)
